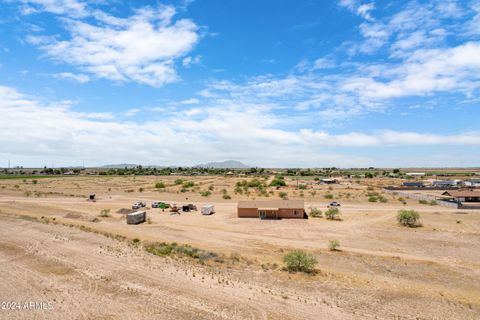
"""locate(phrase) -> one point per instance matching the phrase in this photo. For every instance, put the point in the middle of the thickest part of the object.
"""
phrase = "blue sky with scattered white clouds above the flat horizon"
(346, 83)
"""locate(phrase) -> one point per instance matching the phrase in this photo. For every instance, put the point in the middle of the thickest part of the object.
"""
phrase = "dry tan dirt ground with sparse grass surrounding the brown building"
(383, 271)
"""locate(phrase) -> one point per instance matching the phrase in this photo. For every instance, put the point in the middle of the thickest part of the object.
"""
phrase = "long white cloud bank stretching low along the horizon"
(224, 130)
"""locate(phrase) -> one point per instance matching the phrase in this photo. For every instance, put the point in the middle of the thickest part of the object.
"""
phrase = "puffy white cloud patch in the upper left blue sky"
(142, 48)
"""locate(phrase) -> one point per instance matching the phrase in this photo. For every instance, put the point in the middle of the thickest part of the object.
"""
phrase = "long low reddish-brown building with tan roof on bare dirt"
(271, 209)
